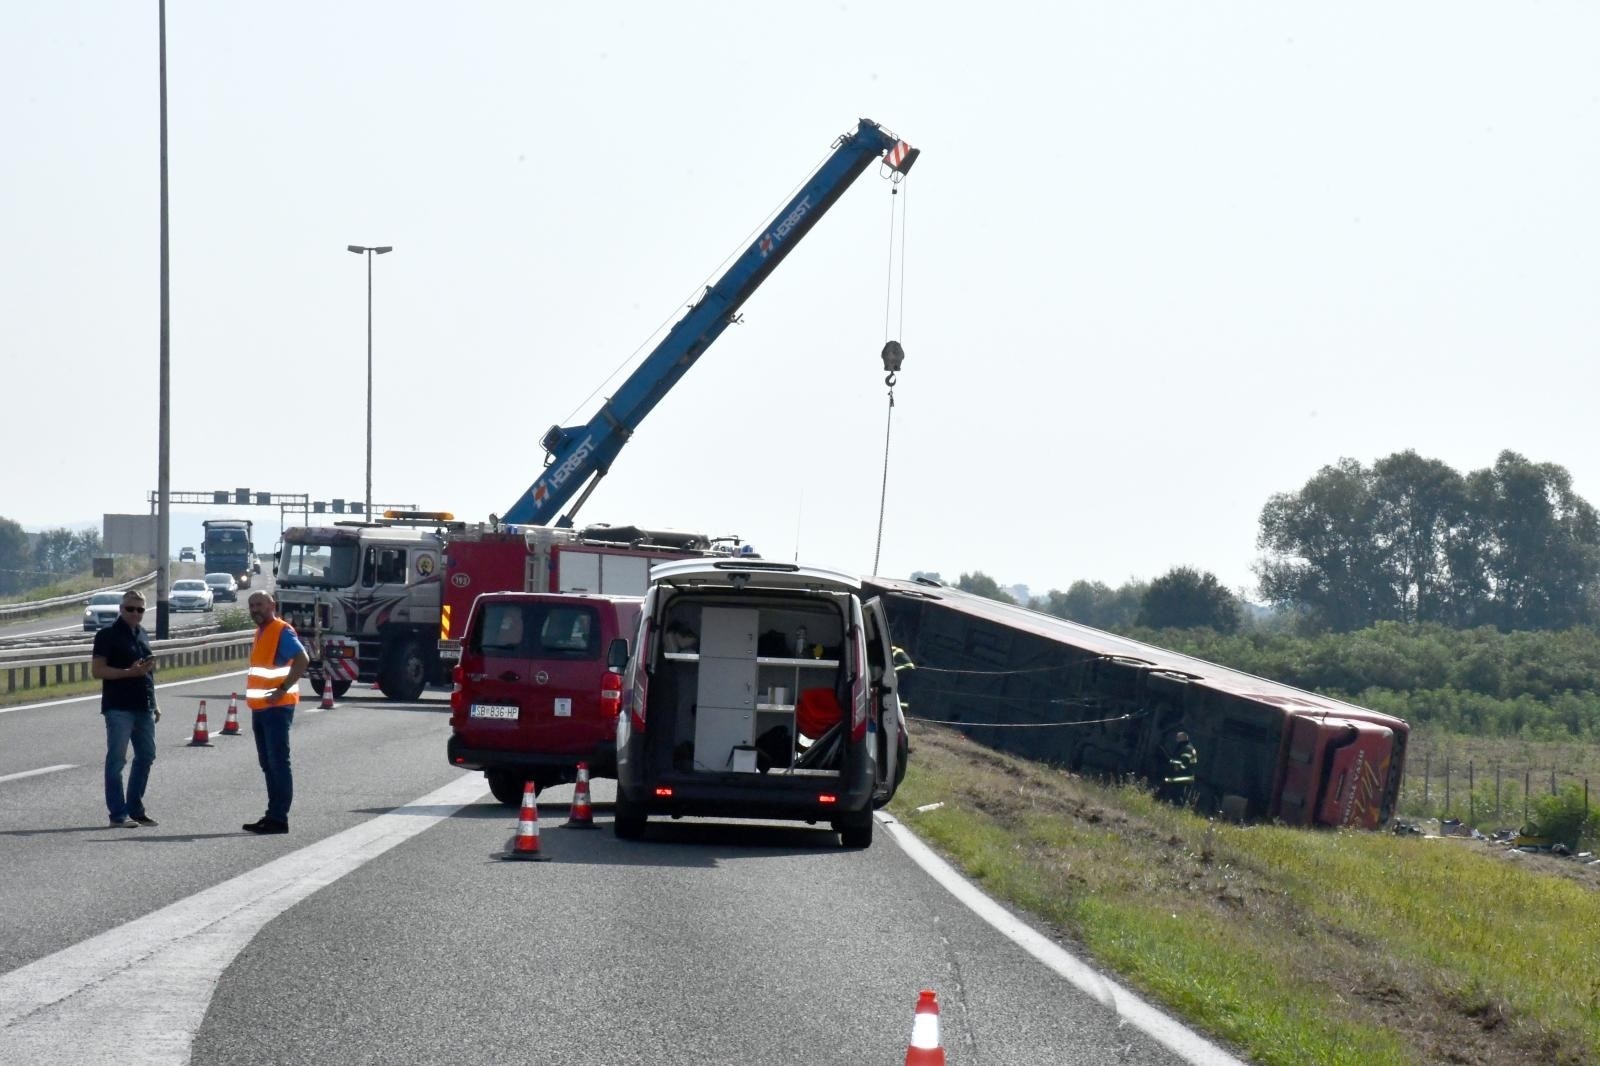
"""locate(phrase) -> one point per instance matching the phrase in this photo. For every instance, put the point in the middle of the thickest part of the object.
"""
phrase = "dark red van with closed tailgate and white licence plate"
(538, 687)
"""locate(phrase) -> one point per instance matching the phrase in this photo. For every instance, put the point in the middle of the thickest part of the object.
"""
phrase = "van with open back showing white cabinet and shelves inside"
(759, 691)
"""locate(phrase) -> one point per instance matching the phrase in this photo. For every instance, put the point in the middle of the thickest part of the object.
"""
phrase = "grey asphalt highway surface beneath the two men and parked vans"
(383, 929)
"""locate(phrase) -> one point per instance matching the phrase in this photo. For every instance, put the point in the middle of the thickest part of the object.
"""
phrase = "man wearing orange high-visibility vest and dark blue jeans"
(278, 660)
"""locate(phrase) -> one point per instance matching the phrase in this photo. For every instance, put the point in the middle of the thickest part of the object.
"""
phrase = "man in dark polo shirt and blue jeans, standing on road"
(127, 671)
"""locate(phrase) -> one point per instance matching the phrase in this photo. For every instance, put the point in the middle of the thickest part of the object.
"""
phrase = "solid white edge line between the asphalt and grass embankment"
(1127, 1006)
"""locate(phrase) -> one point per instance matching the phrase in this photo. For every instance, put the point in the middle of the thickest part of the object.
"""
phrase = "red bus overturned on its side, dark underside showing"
(1103, 705)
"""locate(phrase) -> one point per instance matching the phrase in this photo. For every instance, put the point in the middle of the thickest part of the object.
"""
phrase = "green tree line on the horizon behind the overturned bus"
(1406, 540)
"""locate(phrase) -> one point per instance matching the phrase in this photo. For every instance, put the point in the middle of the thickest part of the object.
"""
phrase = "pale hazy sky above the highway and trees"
(1162, 260)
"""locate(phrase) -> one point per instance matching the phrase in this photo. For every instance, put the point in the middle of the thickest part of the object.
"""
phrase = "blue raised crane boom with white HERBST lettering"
(578, 457)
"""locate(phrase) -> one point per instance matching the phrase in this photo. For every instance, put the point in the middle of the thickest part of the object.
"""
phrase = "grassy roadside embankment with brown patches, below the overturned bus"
(1298, 947)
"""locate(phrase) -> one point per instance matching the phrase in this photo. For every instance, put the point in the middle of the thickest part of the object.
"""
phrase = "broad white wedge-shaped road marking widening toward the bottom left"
(138, 993)
